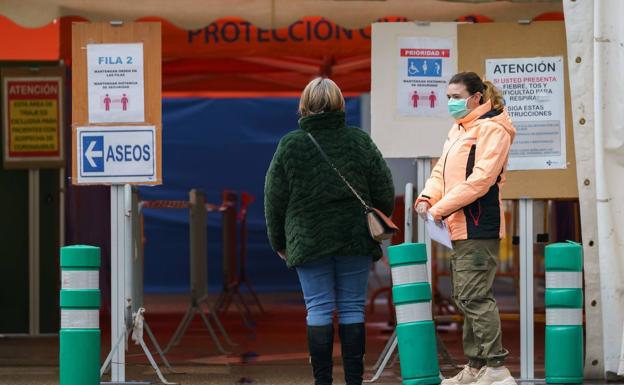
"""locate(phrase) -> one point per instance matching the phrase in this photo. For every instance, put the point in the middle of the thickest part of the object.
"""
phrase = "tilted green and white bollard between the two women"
(415, 329)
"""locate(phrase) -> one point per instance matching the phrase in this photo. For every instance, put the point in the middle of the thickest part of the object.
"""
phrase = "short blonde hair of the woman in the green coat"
(320, 95)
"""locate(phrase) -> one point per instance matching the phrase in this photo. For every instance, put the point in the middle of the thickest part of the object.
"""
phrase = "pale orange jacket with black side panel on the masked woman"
(465, 185)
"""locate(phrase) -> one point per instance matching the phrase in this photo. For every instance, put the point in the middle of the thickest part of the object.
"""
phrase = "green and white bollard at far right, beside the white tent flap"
(564, 313)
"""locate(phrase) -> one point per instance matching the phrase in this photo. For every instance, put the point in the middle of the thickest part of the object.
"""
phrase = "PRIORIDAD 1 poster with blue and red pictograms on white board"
(424, 70)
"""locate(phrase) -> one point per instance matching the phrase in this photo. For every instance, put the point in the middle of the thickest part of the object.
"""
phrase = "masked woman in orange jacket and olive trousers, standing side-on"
(465, 190)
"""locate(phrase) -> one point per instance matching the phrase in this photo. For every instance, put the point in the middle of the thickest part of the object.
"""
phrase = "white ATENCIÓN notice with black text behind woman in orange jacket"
(534, 96)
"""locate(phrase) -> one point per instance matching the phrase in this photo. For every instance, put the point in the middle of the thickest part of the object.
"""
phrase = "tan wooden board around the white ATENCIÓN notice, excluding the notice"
(479, 42)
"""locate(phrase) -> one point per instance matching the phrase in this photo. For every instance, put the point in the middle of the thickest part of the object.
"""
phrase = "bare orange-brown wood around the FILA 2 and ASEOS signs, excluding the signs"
(104, 33)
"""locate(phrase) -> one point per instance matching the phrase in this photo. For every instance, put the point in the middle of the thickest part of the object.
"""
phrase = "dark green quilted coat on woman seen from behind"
(310, 213)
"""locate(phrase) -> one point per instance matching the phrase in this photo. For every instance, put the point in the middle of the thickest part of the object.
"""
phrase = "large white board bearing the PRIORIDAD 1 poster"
(399, 129)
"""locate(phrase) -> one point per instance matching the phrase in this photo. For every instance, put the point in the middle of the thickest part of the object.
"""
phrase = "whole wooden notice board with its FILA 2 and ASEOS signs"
(148, 36)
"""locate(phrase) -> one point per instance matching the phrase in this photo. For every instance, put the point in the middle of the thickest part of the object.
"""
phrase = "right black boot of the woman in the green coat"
(353, 342)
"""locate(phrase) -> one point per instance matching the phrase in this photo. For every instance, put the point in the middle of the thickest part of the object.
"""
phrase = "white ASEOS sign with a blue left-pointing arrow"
(116, 155)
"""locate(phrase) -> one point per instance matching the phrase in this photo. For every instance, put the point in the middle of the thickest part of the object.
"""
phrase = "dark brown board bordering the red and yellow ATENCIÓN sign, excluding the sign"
(55, 74)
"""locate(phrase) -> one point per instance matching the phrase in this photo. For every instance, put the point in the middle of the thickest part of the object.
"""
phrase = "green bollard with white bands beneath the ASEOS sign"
(80, 316)
